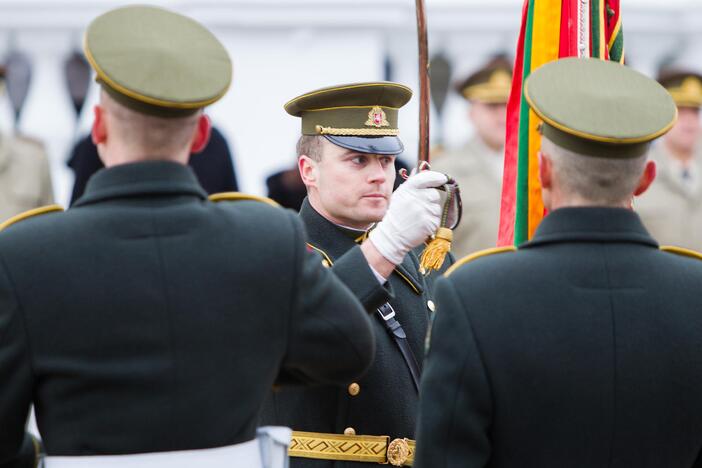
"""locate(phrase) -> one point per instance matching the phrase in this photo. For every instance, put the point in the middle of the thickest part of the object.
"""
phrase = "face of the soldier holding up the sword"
(351, 188)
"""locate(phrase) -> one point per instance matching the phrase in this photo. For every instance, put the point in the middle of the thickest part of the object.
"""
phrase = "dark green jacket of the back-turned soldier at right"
(582, 349)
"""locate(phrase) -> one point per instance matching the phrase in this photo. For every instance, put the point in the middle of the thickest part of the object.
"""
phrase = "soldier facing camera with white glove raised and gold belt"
(346, 160)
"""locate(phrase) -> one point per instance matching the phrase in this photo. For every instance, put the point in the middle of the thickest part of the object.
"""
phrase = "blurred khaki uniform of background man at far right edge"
(671, 208)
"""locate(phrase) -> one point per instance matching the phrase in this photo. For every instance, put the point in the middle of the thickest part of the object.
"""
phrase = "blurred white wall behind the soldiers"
(281, 48)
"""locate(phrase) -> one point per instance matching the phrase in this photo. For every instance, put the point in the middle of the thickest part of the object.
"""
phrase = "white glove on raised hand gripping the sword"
(414, 215)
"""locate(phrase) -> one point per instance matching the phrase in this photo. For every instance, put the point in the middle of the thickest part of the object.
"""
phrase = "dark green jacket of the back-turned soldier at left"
(148, 318)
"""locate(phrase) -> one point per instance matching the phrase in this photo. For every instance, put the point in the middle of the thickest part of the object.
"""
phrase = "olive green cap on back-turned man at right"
(598, 107)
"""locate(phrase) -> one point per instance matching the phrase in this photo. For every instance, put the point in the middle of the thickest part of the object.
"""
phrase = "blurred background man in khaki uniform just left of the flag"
(477, 166)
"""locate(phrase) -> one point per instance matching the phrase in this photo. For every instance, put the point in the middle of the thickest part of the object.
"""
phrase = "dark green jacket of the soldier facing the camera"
(387, 401)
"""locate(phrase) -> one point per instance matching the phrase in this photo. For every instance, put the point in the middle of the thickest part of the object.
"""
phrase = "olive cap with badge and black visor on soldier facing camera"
(359, 116)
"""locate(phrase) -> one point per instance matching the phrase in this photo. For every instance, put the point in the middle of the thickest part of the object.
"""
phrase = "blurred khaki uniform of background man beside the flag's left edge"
(478, 171)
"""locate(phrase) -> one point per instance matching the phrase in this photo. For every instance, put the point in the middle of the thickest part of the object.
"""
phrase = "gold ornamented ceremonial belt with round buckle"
(358, 448)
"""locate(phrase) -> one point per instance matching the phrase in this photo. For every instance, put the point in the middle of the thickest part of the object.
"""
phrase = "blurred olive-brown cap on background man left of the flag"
(490, 84)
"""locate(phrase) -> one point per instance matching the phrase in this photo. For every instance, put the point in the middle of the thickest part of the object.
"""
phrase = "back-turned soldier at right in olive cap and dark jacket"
(582, 347)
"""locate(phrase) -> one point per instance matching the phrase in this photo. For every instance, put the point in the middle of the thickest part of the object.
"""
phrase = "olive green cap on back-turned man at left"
(156, 61)
